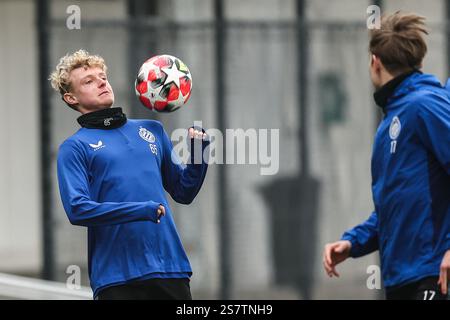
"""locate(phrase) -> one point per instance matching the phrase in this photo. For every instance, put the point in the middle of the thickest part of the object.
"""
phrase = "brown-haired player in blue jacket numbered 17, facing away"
(410, 225)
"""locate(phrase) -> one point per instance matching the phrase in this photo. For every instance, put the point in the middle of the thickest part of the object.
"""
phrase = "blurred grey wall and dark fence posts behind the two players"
(300, 66)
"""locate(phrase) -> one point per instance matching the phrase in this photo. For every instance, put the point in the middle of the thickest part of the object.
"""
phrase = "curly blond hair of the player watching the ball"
(81, 58)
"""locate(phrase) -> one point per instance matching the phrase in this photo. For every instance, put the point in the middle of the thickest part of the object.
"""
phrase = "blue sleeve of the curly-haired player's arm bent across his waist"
(73, 179)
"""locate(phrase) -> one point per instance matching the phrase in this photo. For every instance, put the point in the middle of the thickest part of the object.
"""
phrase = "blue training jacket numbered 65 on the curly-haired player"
(113, 181)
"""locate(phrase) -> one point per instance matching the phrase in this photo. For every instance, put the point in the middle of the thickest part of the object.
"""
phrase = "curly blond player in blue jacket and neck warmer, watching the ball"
(113, 173)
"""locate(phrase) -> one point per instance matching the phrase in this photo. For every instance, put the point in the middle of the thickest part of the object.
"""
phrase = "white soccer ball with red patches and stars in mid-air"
(163, 84)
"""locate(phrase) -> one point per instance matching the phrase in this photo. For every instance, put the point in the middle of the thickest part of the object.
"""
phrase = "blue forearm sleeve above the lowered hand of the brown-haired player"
(364, 237)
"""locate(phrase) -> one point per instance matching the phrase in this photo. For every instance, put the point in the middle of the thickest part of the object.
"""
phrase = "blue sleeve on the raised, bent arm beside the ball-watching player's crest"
(183, 181)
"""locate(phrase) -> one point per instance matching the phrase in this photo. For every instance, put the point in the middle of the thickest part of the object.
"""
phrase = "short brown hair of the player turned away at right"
(399, 43)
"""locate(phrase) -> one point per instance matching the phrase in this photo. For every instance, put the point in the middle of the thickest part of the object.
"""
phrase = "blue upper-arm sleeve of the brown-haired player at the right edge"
(433, 128)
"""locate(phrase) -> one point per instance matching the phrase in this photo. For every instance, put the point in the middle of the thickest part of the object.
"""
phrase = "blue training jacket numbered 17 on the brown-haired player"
(410, 184)
